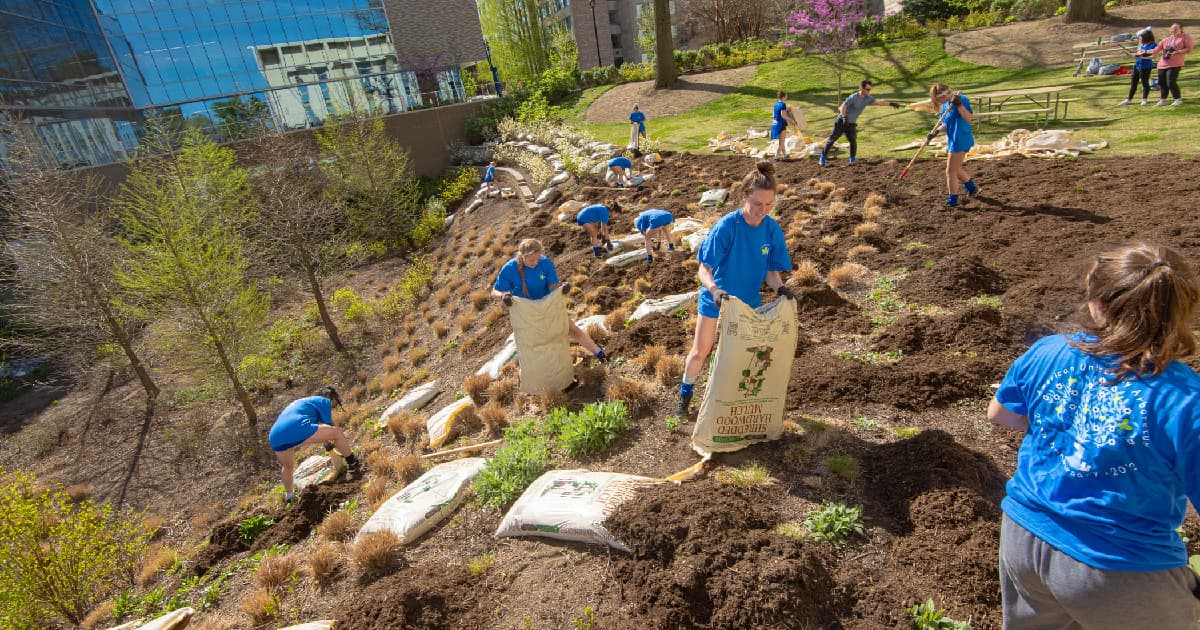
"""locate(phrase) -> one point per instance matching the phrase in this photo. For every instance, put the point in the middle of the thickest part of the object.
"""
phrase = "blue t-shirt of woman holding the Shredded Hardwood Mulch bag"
(741, 256)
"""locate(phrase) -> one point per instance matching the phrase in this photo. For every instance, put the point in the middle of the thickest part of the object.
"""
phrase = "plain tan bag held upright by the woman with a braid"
(541, 332)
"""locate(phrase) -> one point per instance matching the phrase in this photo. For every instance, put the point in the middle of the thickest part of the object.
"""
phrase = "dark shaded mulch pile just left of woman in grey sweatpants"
(910, 483)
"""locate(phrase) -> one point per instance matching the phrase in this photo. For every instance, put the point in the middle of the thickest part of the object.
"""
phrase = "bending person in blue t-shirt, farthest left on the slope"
(308, 422)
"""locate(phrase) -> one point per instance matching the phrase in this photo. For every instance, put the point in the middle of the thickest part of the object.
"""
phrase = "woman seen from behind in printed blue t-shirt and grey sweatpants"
(1111, 457)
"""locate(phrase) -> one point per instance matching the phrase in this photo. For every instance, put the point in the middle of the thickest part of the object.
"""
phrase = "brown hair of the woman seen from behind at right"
(1148, 295)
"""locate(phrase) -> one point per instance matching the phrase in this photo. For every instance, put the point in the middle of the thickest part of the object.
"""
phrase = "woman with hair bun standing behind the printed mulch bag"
(742, 250)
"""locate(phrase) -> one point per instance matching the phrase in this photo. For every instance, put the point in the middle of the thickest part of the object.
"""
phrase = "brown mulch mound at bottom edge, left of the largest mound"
(417, 598)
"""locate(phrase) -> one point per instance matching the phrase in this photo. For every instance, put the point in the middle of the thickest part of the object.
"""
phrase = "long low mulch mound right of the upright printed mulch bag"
(915, 383)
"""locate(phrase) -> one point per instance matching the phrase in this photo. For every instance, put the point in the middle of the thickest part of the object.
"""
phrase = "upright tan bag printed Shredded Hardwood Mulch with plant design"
(747, 391)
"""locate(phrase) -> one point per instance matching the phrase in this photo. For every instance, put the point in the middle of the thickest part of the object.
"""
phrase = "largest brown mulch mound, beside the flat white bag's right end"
(704, 557)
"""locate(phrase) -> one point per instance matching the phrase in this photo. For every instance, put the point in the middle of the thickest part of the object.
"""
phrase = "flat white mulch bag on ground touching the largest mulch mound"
(572, 506)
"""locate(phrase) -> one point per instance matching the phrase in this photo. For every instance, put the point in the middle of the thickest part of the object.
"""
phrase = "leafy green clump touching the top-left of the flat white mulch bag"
(524, 459)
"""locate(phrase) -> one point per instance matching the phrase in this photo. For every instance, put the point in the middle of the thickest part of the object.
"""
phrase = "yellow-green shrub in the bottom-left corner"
(58, 560)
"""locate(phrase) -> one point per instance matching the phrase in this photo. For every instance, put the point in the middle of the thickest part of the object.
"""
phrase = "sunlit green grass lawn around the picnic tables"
(903, 73)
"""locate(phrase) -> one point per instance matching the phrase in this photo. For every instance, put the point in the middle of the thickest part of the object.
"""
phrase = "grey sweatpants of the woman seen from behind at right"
(1046, 590)
